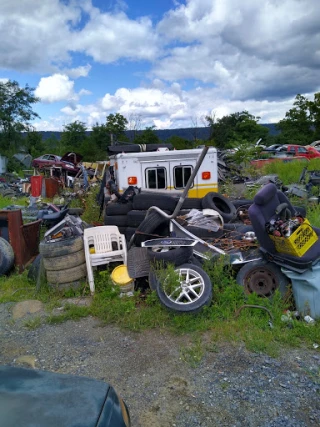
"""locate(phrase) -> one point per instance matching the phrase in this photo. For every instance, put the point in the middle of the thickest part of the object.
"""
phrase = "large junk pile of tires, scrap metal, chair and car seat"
(144, 232)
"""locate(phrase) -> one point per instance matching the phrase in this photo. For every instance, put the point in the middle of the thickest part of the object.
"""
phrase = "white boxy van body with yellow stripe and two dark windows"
(166, 171)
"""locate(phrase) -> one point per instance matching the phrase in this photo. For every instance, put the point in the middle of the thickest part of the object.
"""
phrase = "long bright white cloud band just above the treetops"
(167, 109)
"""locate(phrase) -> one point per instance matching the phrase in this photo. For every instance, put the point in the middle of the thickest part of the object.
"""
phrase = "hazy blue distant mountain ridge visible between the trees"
(163, 134)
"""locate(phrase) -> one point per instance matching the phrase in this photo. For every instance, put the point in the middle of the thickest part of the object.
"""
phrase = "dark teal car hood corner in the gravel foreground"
(31, 397)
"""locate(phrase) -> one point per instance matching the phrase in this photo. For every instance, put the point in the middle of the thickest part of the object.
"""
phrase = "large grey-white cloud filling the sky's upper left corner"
(41, 35)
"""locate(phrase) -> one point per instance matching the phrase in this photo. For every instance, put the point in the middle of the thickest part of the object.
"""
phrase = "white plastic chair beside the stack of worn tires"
(103, 245)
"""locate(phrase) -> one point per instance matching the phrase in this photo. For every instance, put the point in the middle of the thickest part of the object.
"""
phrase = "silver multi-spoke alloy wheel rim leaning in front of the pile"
(190, 290)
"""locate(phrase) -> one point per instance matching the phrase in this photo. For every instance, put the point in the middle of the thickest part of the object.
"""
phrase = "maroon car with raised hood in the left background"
(68, 161)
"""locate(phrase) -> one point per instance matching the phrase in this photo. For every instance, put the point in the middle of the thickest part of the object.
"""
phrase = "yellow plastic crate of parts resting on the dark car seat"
(299, 241)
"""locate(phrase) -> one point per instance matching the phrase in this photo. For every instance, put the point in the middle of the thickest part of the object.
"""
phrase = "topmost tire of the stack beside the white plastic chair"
(61, 247)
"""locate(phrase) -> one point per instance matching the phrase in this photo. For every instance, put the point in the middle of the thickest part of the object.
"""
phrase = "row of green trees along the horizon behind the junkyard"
(301, 125)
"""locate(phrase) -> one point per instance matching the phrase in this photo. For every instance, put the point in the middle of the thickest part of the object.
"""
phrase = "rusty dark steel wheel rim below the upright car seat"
(261, 281)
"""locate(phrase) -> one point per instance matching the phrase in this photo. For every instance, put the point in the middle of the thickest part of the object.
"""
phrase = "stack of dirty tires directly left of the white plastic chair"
(64, 261)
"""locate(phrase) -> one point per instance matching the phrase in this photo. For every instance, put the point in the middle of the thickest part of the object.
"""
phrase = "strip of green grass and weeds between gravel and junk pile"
(222, 321)
